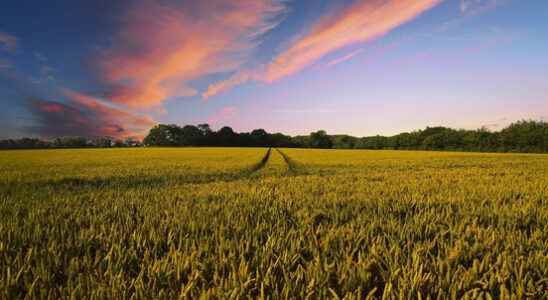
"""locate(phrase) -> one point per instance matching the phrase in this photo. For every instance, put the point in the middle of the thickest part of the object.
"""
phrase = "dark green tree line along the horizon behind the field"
(521, 136)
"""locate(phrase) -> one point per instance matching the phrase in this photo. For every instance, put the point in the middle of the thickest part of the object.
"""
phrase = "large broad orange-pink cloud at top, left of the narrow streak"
(161, 47)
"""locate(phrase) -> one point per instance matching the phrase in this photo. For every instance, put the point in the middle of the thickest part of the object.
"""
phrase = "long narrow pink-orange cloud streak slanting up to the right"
(361, 22)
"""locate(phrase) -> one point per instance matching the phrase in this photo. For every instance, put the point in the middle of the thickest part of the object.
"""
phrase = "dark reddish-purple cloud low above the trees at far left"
(84, 115)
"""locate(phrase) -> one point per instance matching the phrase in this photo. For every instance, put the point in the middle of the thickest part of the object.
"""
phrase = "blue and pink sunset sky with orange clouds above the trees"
(359, 67)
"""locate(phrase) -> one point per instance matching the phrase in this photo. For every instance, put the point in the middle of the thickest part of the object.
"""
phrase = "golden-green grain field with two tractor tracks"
(287, 223)
